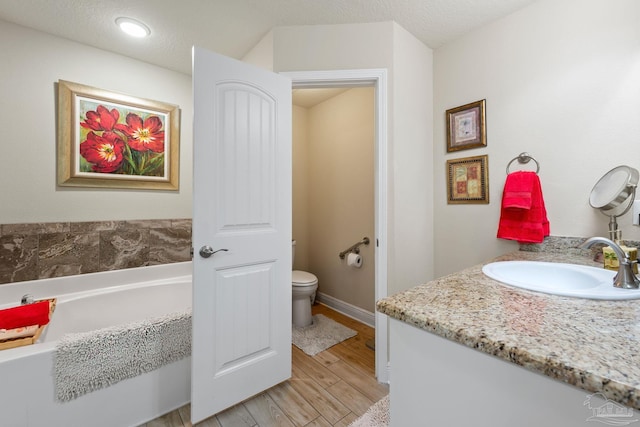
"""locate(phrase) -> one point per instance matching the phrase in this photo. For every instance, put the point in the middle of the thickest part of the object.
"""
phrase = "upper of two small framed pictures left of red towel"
(466, 127)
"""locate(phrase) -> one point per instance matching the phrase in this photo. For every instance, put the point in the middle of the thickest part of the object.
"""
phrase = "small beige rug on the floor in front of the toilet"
(320, 335)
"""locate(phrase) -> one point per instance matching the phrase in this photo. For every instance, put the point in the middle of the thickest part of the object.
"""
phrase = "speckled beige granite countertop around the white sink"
(594, 345)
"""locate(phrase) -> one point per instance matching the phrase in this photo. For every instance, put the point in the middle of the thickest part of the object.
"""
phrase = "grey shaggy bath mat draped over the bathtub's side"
(89, 361)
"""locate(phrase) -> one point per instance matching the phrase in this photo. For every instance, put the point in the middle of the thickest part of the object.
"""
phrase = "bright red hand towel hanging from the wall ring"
(523, 216)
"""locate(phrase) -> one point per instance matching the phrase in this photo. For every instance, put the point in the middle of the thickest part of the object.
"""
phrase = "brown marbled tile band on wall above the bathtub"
(44, 250)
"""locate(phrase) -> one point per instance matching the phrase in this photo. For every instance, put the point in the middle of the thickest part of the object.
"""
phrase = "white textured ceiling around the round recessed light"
(233, 27)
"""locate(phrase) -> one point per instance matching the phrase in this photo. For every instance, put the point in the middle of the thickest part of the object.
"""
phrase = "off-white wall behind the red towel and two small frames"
(561, 80)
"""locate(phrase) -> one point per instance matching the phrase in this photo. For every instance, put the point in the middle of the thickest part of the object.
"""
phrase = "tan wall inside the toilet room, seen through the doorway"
(339, 195)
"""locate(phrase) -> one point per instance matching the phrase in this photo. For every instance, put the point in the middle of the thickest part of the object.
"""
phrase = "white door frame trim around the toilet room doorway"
(377, 78)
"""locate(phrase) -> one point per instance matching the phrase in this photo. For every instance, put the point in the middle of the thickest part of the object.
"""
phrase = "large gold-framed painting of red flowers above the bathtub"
(112, 140)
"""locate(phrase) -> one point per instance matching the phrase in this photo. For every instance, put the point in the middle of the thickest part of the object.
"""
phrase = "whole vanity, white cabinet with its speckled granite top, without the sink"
(466, 350)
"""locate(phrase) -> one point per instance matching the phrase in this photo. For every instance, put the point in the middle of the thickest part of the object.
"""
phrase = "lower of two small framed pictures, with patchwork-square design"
(468, 180)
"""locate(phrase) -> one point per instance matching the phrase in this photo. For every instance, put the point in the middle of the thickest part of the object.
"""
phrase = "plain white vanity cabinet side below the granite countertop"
(438, 382)
